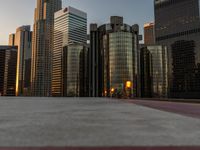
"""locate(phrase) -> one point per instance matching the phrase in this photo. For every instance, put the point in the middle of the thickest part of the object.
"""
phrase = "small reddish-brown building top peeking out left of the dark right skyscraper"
(149, 33)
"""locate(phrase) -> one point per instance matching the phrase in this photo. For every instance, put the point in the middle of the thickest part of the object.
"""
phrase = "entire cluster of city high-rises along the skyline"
(58, 58)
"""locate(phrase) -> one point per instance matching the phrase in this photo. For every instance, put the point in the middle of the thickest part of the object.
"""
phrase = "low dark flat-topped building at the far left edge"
(8, 63)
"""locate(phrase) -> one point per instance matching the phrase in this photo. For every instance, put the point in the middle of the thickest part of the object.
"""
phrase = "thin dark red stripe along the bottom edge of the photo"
(103, 148)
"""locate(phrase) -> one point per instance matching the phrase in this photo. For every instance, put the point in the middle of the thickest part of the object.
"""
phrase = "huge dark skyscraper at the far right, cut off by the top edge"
(177, 25)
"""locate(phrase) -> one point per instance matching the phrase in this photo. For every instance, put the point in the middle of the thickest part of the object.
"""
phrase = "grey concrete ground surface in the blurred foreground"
(87, 122)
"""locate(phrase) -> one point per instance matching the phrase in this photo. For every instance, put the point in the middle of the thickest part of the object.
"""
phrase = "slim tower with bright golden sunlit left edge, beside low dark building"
(23, 39)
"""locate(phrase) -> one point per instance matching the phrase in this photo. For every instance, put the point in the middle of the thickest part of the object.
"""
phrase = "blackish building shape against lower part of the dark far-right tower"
(183, 54)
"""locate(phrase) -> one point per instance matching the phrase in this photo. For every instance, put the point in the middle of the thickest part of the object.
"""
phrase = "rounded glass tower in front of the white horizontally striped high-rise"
(75, 74)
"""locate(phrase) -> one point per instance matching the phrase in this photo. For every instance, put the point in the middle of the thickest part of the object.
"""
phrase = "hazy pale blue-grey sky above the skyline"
(14, 13)
